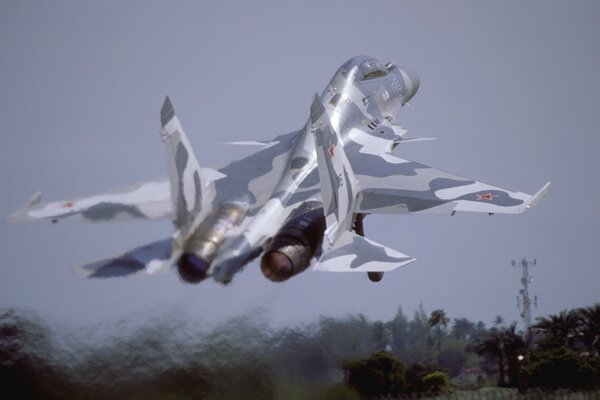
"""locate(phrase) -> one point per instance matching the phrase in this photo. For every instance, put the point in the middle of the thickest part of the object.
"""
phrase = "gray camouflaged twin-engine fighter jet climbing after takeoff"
(300, 200)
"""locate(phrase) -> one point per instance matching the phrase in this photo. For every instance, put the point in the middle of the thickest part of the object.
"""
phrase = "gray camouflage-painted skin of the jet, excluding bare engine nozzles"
(358, 113)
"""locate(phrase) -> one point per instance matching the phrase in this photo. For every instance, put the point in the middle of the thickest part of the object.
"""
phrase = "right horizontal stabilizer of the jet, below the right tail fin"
(354, 253)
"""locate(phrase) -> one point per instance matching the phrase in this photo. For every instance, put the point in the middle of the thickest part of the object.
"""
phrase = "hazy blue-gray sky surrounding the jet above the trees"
(510, 89)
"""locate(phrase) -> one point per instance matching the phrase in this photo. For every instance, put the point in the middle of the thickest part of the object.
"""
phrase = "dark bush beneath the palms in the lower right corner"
(560, 368)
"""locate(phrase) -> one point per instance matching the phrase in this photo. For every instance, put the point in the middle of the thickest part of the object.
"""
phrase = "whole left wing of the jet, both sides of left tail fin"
(253, 177)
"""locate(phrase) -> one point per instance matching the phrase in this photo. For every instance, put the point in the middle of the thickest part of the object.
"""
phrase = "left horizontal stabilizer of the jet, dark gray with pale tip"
(149, 259)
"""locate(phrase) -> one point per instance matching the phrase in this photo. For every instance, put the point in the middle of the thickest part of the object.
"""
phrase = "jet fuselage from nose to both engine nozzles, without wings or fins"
(363, 95)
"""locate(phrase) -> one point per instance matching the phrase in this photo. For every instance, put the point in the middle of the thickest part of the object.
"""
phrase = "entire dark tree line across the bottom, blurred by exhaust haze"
(168, 357)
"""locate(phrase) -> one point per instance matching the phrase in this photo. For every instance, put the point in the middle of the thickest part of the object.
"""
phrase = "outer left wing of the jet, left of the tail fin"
(147, 201)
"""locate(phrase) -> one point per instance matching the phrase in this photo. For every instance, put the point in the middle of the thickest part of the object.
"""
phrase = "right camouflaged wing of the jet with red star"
(392, 185)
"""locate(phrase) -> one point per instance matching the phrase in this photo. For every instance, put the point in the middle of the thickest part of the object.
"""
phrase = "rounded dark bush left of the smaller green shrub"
(377, 376)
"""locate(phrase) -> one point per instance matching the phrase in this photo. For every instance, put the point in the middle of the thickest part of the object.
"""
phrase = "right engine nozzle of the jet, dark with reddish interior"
(295, 244)
